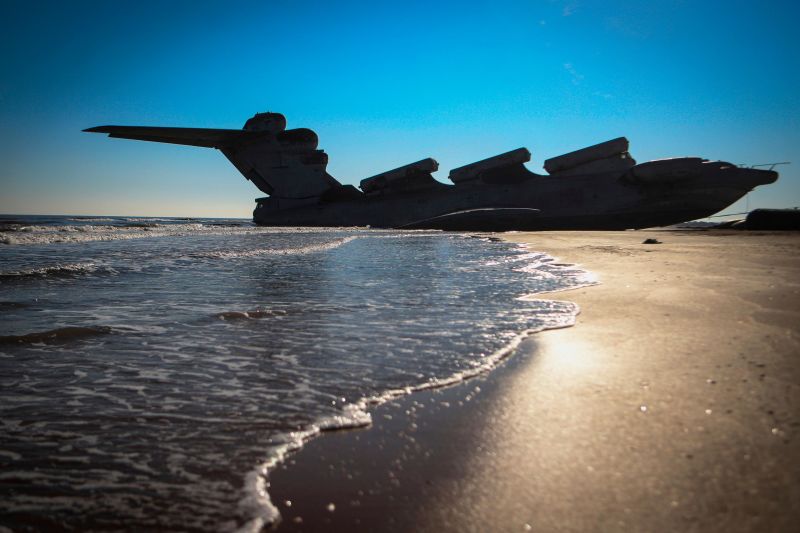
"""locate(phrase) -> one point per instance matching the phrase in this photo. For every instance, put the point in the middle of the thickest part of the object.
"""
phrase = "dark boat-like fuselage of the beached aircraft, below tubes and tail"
(604, 201)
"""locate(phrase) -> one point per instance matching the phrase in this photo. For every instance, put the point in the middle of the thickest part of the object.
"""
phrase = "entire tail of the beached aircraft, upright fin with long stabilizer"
(282, 163)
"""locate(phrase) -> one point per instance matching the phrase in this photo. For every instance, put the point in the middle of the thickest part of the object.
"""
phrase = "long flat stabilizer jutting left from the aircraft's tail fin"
(206, 137)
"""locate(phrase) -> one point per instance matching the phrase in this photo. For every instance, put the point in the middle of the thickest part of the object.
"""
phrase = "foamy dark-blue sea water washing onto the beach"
(152, 370)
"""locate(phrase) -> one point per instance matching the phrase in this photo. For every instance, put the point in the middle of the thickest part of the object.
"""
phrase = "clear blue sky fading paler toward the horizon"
(383, 84)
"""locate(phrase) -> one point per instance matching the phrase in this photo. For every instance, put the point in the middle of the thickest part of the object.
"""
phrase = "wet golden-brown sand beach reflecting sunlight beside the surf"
(672, 405)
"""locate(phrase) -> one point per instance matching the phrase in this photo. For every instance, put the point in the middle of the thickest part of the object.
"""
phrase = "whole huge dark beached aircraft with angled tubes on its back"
(600, 187)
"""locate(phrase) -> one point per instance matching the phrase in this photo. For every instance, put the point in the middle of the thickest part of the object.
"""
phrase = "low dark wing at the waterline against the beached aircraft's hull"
(485, 219)
